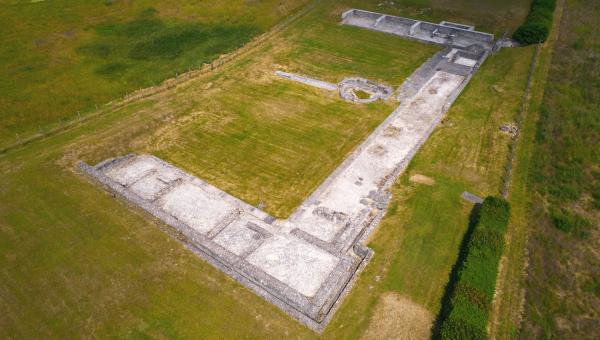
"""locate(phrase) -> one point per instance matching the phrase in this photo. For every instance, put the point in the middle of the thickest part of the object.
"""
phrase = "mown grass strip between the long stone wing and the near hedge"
(466, 153)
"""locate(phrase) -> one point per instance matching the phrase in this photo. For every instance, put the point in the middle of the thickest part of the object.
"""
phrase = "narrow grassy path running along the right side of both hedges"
(508, 305)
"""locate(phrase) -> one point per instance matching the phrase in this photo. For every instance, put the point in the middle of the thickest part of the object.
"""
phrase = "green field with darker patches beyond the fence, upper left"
(61, 57)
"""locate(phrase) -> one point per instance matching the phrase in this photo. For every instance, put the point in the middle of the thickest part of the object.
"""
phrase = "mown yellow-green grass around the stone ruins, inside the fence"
(74, 261)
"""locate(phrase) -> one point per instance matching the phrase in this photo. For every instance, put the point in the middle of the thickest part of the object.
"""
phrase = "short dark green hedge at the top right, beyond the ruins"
(537, 25)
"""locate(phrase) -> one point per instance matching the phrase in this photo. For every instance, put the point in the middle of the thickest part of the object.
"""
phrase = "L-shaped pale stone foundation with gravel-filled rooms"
(306, 264)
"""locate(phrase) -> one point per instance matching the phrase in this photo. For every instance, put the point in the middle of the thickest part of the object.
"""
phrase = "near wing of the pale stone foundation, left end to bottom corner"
(293, 270)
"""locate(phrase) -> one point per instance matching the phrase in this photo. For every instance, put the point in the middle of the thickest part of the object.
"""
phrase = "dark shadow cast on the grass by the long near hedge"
(453, 278)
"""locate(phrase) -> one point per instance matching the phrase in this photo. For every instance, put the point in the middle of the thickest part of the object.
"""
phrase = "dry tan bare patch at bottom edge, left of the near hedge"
(397, 317)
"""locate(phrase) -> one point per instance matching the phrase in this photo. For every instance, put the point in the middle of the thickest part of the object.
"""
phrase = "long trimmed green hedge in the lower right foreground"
(470, 301)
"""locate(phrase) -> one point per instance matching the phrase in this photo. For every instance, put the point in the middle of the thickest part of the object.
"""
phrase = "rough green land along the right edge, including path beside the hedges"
(554, 228)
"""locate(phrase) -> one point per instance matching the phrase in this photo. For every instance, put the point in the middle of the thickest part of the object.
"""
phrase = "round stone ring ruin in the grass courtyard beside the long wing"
(360, 90)
